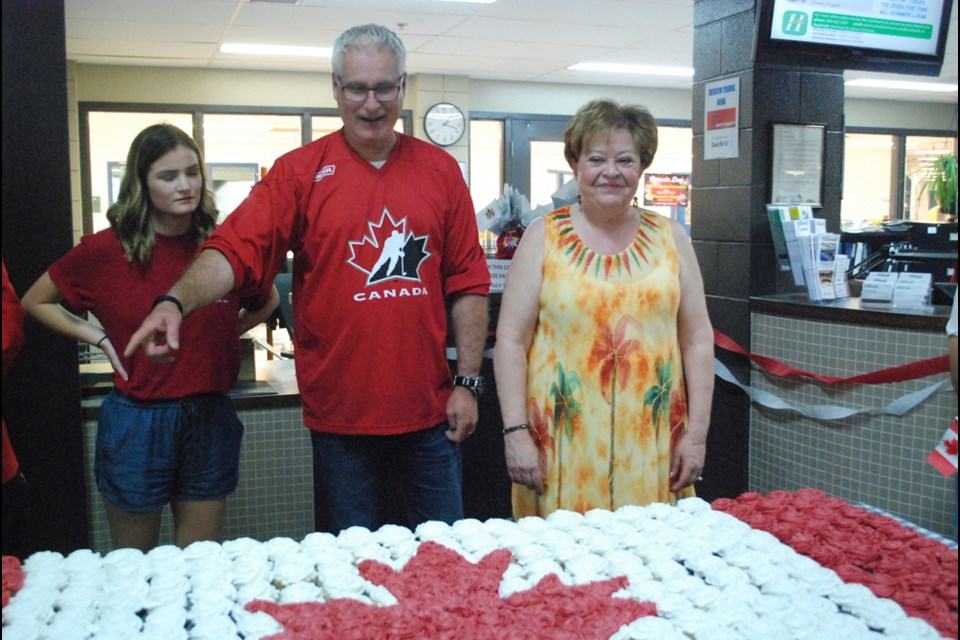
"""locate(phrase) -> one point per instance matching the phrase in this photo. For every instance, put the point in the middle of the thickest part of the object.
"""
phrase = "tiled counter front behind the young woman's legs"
(275, 494)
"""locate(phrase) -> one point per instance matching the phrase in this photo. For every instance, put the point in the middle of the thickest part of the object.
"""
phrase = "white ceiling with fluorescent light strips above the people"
(516, 40)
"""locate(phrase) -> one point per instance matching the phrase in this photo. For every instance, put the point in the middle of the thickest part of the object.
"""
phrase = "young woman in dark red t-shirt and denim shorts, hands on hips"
(166, 433)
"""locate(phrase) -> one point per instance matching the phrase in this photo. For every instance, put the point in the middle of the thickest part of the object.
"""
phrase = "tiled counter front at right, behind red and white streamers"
(876, 459)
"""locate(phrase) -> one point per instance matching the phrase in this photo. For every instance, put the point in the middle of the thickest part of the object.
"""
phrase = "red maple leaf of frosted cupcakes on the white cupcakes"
(441, 595)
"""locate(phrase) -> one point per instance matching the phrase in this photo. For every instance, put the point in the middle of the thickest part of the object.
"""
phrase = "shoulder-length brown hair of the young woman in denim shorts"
(130, 215)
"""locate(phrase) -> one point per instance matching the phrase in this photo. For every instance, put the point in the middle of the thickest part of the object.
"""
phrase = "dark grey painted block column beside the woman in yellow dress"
(730, 232)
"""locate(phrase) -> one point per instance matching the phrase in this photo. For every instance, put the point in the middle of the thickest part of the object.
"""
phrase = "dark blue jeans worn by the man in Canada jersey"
(359, 477)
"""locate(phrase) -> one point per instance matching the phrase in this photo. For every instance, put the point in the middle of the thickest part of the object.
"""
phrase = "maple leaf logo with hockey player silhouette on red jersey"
(389, 251)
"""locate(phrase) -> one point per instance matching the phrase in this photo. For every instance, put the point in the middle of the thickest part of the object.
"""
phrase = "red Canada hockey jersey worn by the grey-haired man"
(377, 252)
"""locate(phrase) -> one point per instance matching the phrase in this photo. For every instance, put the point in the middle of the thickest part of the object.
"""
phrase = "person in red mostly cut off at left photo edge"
(14, 484)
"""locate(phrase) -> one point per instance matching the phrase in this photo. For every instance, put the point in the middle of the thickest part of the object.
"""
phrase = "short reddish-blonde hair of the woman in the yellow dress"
(604, 116)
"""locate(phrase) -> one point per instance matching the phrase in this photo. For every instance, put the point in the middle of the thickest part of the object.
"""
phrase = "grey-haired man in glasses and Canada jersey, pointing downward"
(383, 234)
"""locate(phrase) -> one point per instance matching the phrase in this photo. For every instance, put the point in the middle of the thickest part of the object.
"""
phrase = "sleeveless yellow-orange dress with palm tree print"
(606, 397)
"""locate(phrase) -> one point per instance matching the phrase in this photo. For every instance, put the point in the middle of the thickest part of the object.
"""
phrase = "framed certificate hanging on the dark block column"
(796, 173)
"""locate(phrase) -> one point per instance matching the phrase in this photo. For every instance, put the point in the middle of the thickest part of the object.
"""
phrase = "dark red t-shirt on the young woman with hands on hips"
(95, 276)
